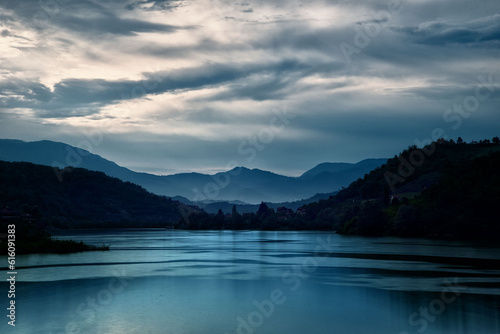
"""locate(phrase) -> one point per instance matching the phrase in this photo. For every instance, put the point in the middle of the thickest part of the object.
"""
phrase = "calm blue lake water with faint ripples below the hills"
(182, 282)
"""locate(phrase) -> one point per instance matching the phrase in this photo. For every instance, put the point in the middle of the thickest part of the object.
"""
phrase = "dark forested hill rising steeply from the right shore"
(446, 189)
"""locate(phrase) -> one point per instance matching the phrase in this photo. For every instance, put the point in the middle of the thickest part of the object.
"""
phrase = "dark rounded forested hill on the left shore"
(83, 198)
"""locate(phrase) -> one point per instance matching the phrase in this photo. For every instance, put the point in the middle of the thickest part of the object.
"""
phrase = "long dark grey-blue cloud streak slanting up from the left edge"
(84, 96)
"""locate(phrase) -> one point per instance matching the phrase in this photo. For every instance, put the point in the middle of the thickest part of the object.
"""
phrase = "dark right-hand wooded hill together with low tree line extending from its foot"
(453, 194)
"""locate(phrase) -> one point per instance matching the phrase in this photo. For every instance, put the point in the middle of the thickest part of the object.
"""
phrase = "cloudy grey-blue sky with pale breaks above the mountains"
(201, 85)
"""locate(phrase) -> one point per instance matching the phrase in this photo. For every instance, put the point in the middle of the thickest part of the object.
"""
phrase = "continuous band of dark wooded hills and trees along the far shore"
(446, 189)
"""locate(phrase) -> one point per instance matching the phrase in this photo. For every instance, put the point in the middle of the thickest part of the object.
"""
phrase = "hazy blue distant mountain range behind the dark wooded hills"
(239, 184)
